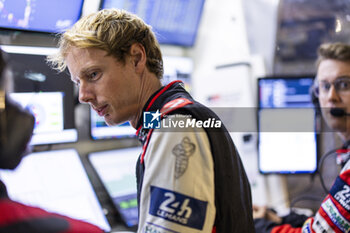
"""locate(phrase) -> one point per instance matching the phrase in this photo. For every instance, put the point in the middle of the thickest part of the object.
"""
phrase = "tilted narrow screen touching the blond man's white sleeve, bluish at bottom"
(116, 170)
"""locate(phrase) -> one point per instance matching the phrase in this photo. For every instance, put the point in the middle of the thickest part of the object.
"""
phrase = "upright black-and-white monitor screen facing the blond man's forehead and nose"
(47, 94)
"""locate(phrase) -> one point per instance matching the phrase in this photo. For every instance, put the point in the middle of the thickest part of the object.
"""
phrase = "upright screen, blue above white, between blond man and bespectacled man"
(287, 140)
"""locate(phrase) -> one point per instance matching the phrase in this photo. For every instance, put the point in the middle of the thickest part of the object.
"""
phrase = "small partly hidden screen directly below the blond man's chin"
(100, 130)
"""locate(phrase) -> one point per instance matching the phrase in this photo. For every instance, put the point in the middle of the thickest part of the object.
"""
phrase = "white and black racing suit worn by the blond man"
(190, 179)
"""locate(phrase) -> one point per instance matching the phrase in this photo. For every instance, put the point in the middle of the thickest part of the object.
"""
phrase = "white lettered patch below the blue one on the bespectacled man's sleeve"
(332, 212)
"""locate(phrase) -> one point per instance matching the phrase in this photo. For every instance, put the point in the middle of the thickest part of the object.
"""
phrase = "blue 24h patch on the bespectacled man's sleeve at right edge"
(341, 192)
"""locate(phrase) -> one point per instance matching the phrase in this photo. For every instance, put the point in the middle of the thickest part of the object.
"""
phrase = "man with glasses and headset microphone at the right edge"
(332, 90)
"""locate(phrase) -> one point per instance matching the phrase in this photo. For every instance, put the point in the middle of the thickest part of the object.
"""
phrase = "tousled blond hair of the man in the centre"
(113, 31)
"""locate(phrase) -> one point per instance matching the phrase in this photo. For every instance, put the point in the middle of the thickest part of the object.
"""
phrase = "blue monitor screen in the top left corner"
(40, 15)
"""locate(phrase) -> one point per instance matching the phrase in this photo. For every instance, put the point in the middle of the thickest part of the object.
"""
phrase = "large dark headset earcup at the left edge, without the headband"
(19, 129)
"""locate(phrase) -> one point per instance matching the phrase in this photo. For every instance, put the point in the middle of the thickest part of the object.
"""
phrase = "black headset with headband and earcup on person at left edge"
(16, 125)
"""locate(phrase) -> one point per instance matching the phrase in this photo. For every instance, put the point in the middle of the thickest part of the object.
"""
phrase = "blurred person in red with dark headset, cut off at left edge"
(16, 127)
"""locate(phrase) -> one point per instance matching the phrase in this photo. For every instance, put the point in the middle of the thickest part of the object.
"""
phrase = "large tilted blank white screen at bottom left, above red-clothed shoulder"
(57, 182)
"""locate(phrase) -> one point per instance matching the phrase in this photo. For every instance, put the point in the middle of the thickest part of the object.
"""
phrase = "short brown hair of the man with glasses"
(335, 51)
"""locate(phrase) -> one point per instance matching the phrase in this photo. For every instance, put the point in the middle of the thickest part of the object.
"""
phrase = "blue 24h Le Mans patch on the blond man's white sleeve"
(178, 208)
